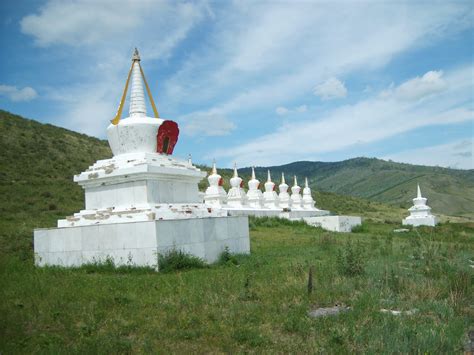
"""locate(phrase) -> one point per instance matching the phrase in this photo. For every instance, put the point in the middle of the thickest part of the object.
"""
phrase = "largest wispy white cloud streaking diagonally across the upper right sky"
(281, 51)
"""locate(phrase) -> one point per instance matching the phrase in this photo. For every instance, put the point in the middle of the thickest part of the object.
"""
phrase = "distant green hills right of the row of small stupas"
(449, 191)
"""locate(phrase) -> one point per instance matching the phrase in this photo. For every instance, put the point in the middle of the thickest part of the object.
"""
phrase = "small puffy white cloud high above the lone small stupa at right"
(419, 87)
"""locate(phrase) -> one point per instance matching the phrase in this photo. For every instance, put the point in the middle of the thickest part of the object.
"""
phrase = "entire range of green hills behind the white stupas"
(38, 161)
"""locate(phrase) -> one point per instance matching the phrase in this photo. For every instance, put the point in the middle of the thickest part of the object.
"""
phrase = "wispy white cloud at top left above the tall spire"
(88, 23)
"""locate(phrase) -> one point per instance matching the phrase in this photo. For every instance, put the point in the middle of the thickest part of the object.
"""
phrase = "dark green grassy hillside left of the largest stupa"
(37, 164)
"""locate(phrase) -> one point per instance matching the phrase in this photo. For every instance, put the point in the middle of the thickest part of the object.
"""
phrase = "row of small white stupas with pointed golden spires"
(237, 198)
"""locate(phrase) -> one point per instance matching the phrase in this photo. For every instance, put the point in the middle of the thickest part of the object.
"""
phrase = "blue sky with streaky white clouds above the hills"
(255, 82)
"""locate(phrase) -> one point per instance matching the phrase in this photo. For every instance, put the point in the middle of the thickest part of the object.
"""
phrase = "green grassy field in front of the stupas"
(257, 303)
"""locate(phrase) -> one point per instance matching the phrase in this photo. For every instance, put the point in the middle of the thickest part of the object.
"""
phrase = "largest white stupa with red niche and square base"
(143, 201)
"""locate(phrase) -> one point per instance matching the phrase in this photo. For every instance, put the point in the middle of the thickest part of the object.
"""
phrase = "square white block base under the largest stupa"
(141, 243)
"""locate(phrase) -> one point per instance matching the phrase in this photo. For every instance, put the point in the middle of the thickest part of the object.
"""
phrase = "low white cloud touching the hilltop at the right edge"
(456, 155)
